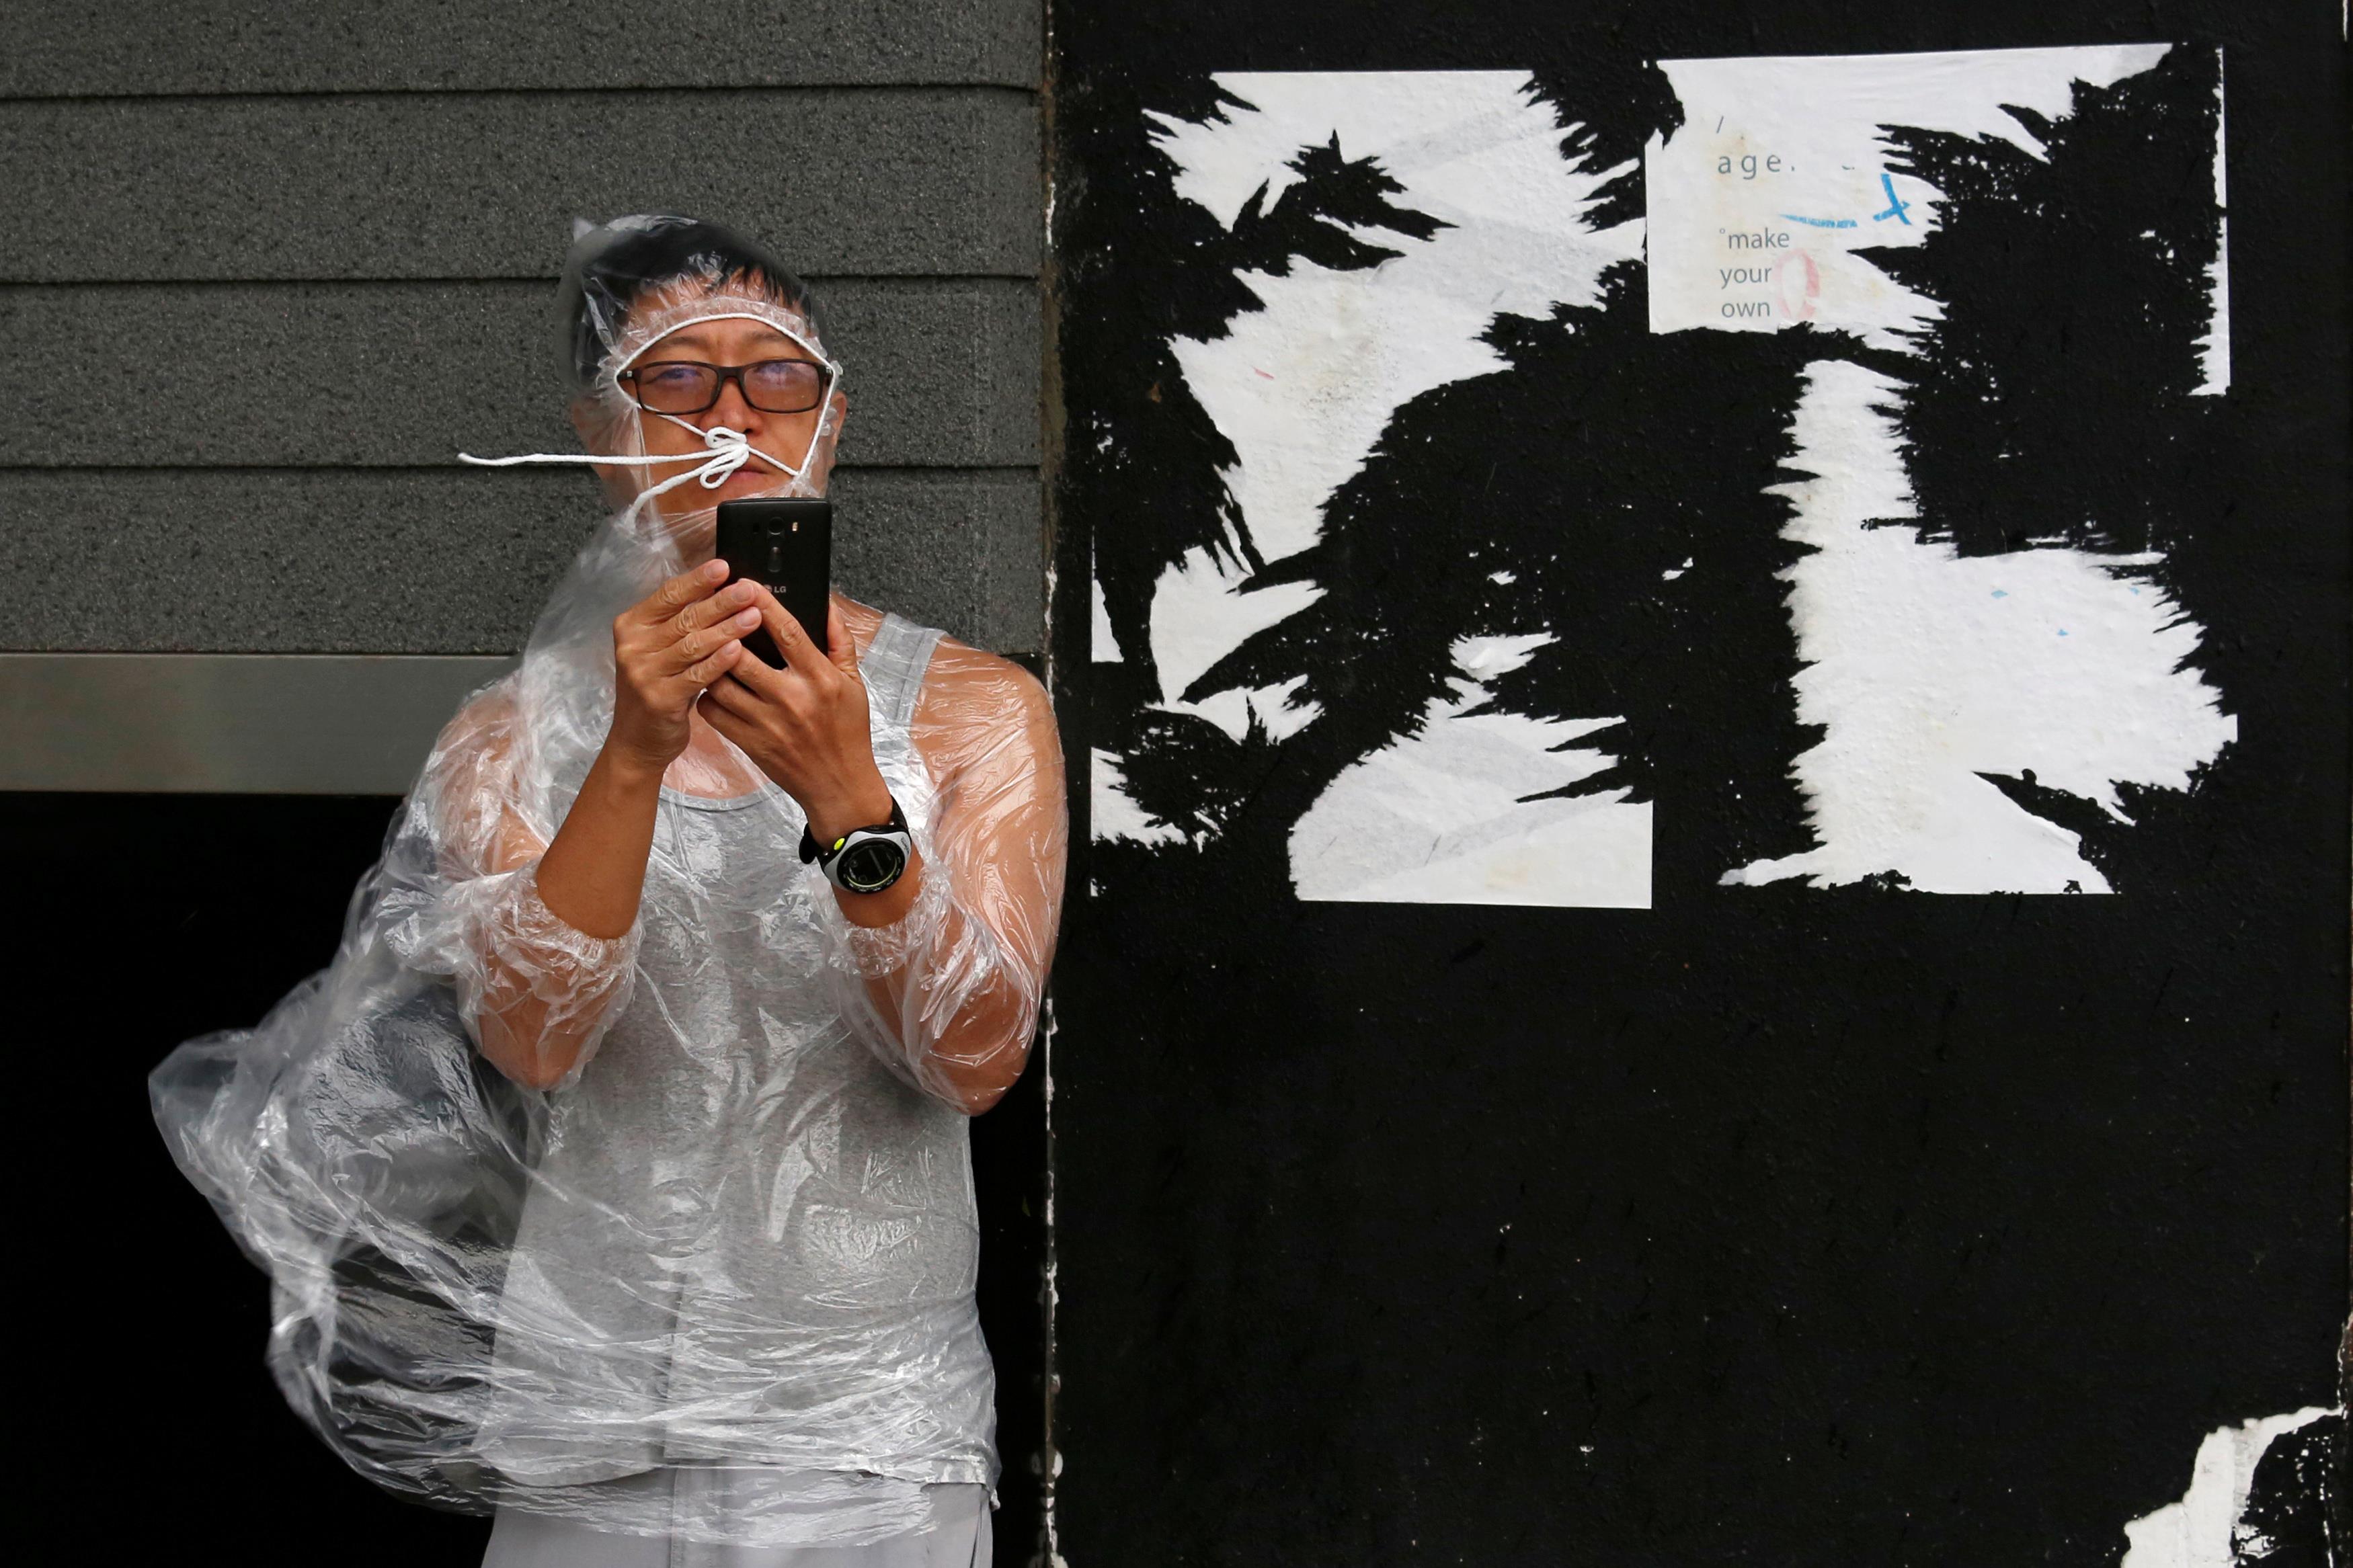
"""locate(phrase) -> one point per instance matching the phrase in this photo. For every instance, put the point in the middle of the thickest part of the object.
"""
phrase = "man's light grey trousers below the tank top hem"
(956, 1539)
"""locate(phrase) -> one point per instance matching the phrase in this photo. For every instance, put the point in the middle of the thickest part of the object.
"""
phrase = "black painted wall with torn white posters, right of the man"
(1764, 1226)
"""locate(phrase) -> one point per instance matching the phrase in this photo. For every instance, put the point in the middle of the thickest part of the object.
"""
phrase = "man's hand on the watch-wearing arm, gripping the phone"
(806, 725)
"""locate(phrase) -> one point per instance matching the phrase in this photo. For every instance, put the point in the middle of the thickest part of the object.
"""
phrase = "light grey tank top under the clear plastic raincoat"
(740, 1198)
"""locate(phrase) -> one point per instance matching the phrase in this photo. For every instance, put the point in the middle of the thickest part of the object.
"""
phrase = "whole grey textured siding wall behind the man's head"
(265, 272)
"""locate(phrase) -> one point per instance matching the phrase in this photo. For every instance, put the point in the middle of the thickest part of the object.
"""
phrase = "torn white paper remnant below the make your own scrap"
(1928, 669)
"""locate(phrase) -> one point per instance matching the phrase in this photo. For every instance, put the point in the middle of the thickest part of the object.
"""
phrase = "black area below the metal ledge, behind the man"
(154, 918)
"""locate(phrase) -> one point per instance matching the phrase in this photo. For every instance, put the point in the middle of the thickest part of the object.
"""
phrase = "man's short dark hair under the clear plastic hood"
(618, 262)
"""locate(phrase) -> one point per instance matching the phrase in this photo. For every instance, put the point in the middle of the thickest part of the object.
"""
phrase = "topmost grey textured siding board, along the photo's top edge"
(399, 46)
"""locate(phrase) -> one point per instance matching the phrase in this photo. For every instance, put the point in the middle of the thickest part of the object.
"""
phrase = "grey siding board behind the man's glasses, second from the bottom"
(321, 375)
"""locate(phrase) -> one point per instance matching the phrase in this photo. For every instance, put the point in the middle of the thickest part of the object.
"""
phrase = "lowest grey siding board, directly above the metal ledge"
(441, 561)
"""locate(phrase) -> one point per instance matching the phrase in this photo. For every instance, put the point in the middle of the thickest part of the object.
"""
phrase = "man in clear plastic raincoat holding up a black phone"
(735, 1320)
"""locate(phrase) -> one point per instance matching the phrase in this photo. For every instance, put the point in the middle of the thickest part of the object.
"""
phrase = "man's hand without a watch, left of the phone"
(665, 650)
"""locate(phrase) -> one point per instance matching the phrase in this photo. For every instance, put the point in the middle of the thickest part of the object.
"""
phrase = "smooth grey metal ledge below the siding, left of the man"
(227, 723)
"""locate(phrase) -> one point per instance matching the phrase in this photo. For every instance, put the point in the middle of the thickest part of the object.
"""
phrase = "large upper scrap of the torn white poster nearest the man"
(1305, 387)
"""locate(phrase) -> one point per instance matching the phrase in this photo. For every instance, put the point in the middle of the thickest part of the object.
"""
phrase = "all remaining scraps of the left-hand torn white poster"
(1305, 389)
